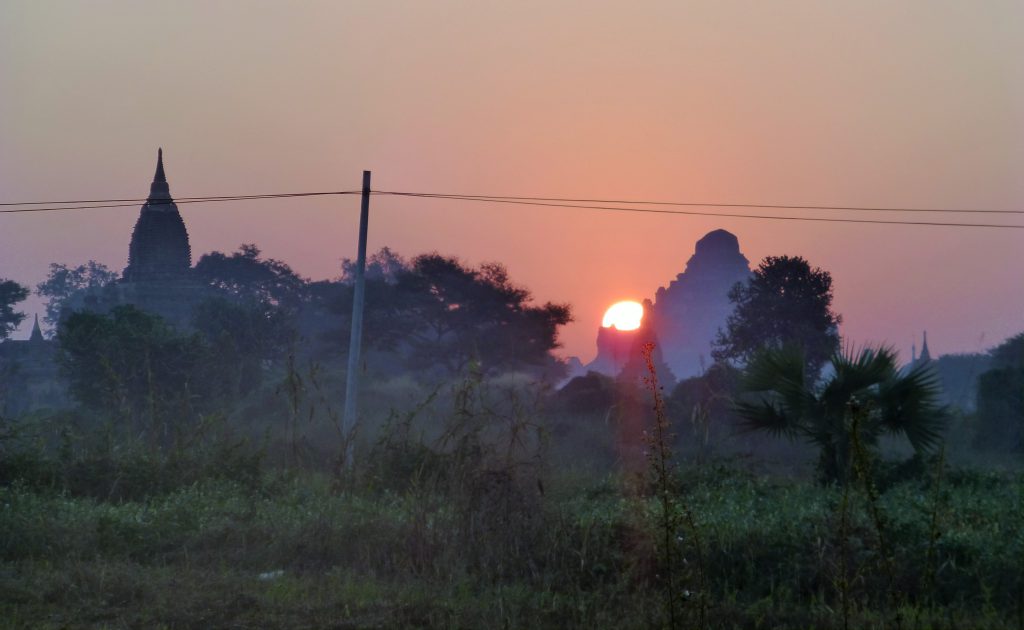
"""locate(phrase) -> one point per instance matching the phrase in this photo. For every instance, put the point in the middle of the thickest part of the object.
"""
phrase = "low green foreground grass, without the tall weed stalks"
(195, 557)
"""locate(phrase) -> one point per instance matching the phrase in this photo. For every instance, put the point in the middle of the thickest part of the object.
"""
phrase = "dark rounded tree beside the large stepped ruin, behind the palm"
(785, 303)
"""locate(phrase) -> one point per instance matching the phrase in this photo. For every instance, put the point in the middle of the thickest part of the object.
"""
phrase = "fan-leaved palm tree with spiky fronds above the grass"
(866, 391)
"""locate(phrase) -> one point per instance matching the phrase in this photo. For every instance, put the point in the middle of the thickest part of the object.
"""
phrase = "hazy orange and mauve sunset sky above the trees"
(914, 104)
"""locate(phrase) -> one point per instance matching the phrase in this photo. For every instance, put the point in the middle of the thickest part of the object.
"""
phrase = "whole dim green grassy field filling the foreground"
(220, 539)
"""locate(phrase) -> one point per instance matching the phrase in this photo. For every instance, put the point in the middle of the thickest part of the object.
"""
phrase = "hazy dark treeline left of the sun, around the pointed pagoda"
(255, 320)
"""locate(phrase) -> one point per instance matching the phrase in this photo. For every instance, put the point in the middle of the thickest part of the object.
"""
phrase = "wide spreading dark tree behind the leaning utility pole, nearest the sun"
(440, 315)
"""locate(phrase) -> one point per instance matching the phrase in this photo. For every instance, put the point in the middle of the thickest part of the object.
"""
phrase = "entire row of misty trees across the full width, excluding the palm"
(433, 318)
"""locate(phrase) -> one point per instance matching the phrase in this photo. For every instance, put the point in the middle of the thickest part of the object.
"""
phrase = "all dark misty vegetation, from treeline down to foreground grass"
(196, 484)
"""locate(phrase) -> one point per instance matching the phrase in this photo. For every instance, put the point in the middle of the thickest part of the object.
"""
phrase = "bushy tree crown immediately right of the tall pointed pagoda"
(248, 277)
